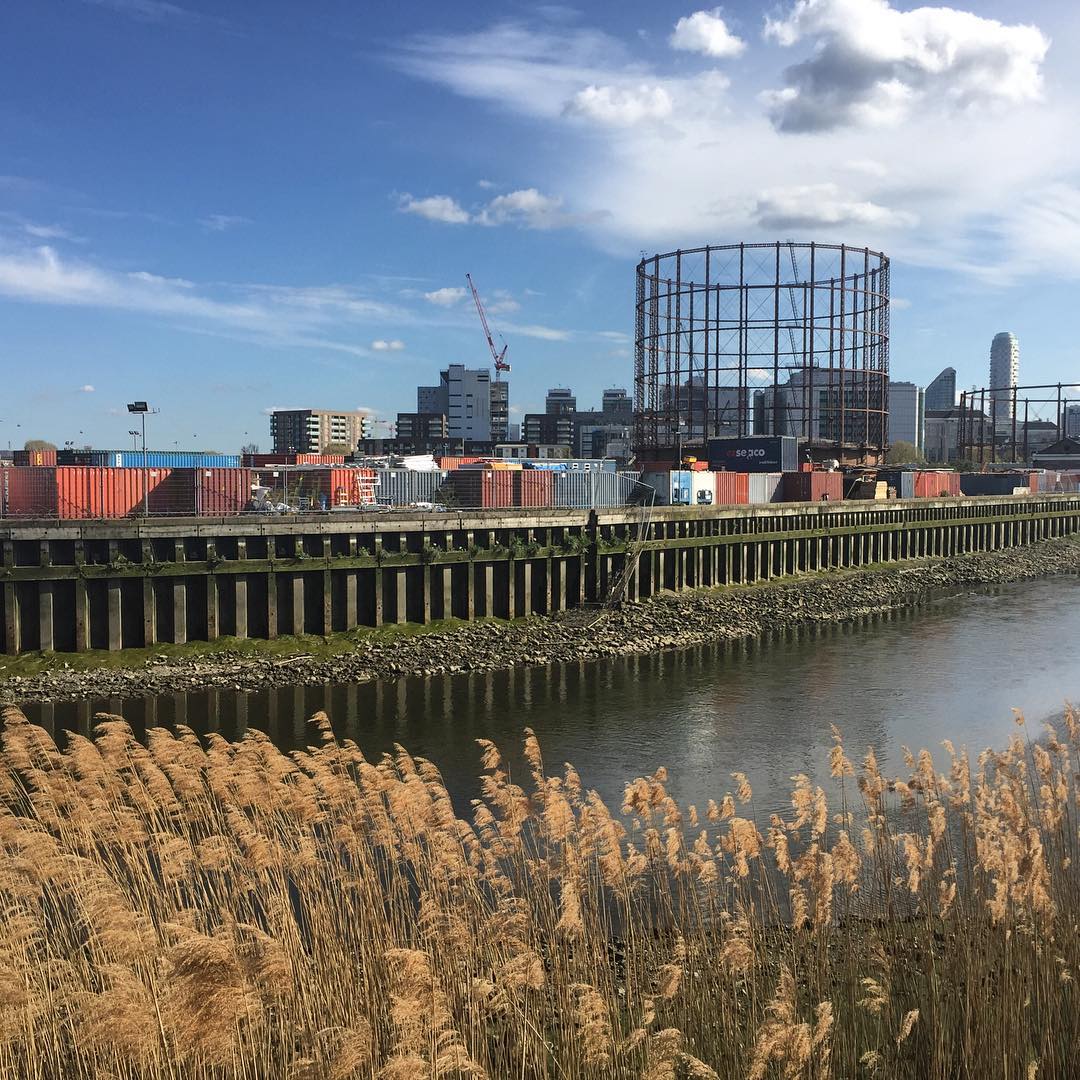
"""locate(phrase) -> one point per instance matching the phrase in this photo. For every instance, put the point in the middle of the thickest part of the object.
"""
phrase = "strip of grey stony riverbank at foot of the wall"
(665, 623)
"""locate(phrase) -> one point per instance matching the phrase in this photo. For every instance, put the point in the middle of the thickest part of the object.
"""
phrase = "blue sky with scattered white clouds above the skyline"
(224, 208)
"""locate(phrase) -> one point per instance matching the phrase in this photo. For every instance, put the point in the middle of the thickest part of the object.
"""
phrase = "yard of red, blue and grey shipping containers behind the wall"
(290, 483)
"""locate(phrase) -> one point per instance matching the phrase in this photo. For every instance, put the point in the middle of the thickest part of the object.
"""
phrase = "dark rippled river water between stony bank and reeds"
(953, 668)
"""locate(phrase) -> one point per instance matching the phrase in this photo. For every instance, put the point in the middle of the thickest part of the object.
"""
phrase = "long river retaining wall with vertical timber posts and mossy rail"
(71, 587)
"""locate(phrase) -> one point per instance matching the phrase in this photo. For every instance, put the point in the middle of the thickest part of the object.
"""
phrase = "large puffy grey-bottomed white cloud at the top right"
(874, 65)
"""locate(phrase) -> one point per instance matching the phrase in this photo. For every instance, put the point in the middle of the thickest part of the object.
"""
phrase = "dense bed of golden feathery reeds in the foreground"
(190, 908)
